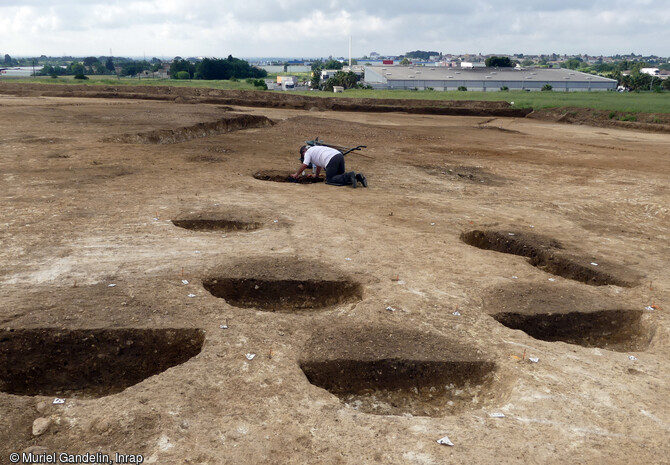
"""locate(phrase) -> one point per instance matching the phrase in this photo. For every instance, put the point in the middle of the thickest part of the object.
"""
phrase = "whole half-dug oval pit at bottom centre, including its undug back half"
(387, 371)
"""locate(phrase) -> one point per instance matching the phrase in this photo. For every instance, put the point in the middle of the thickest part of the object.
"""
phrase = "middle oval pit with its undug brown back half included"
(283, 286)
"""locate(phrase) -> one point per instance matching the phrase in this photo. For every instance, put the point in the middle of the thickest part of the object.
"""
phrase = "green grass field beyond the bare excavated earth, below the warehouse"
(632, 102)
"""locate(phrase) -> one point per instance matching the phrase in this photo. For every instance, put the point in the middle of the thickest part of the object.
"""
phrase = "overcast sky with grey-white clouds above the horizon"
(292, 28)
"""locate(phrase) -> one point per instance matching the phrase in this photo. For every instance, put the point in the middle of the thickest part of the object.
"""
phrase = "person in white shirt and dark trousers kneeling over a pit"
(333, 162)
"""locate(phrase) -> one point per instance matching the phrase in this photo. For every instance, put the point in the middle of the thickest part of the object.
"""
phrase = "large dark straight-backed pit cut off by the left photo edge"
(89, 362)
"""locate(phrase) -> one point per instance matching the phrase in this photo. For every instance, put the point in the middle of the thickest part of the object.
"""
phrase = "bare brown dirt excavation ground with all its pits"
(501, 282)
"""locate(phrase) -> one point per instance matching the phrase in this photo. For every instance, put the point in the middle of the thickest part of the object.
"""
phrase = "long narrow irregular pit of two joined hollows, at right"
(547, 254)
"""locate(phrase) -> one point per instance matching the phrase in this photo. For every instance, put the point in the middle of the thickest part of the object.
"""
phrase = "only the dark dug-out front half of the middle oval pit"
(283, 295)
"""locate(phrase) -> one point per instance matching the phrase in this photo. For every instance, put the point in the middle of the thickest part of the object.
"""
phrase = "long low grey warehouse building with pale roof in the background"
(483, 79)
